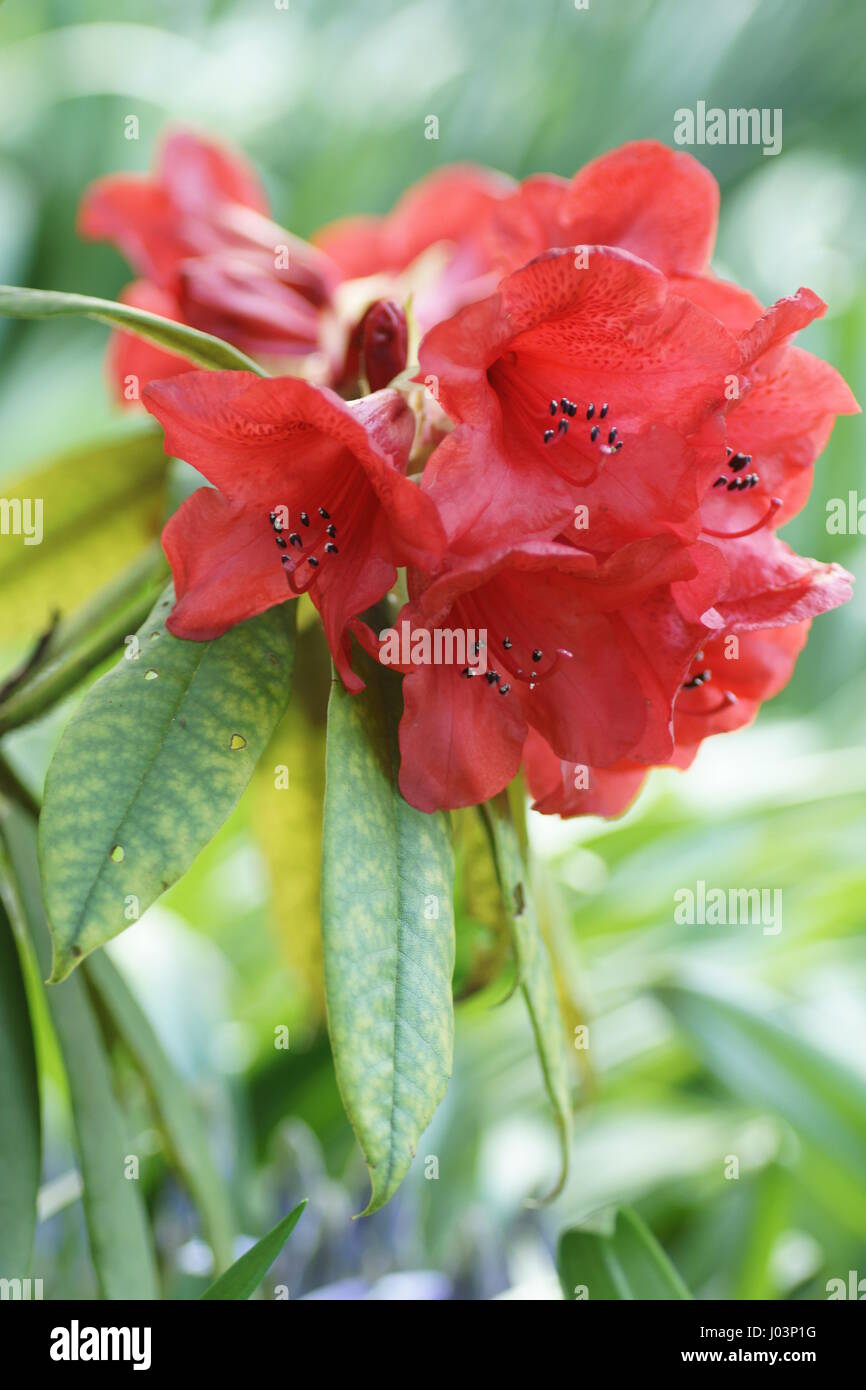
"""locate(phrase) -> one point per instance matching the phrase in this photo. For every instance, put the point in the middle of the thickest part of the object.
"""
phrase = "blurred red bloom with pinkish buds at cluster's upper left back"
(199, 234)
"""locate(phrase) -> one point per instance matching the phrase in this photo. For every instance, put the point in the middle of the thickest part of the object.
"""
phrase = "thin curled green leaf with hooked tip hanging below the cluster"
(534, 971)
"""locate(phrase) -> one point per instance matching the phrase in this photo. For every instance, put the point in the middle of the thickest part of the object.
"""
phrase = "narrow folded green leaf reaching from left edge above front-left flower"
(197, 347)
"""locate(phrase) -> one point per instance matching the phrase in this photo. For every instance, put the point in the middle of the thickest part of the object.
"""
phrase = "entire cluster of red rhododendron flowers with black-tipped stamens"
(611, 439)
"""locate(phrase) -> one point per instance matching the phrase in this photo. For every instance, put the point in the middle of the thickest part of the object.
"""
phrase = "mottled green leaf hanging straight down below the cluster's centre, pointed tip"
(387, 869)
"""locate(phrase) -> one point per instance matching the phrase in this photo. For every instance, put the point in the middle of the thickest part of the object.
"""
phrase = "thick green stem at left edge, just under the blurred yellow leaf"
(87, 639)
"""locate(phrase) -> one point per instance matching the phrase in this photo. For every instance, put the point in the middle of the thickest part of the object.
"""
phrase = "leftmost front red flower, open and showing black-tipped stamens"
(309, 497)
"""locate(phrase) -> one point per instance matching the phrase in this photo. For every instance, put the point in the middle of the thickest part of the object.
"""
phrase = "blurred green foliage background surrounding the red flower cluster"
(704, 1042)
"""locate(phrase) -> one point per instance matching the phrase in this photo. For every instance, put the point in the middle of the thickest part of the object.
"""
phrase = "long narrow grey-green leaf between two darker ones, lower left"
(115, 1211)
